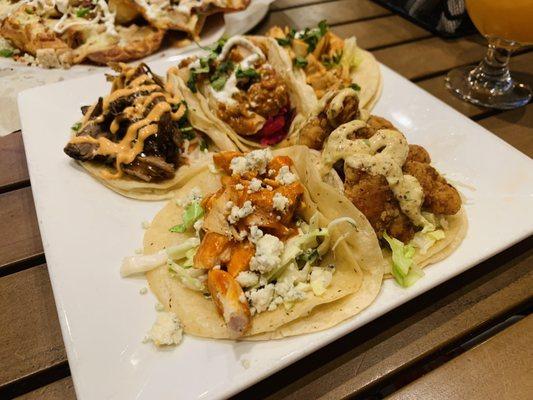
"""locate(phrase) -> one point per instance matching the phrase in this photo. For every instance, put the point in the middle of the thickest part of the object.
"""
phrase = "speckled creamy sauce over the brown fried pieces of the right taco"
(363, 154)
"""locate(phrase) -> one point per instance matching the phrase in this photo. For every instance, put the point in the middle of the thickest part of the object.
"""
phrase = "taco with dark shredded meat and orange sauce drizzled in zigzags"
(139, 140)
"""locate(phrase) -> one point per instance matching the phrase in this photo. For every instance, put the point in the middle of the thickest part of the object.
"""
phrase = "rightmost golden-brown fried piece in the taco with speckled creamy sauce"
(440, 196)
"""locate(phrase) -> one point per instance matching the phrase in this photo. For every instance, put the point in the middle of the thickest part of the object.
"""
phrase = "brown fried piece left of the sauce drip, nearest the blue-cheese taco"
(372, 195)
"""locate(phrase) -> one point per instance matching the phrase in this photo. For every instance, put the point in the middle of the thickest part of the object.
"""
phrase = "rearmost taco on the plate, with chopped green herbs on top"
(326, 62)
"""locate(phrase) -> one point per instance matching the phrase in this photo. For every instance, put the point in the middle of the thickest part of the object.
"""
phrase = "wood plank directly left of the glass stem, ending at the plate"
(430, 56)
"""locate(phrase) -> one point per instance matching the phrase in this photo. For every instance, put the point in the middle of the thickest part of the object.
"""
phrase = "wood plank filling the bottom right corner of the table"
(499, 368)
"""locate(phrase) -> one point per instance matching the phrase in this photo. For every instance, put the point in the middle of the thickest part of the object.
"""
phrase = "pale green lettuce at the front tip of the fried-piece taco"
(404, 270)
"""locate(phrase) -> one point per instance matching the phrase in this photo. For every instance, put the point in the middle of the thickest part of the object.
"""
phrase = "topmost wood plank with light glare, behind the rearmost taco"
(336, 12)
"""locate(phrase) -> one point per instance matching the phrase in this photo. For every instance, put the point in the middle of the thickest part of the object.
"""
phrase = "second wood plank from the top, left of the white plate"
(19, 232)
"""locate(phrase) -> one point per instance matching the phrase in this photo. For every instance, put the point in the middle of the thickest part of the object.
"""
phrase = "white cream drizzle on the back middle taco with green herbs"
(230, 88)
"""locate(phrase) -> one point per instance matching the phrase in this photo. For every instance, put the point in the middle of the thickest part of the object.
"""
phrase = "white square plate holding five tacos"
(87, 229)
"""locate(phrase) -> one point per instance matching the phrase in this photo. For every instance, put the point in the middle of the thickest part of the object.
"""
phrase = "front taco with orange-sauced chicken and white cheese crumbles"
(257, 246)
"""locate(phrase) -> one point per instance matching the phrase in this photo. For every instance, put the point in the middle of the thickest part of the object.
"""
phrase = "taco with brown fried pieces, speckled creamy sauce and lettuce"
(416, 214)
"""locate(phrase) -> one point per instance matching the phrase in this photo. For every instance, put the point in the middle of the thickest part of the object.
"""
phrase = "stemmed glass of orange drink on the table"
(507, 24)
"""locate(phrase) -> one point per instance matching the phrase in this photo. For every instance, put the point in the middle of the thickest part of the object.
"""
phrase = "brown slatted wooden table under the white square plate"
(373, 361)
